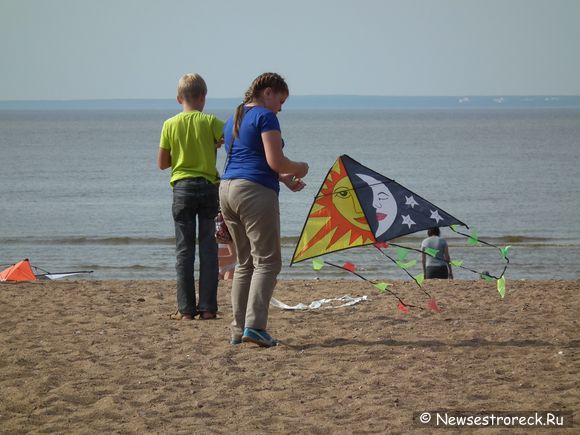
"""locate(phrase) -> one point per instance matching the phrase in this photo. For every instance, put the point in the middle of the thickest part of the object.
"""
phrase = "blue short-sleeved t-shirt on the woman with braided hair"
(247, 159)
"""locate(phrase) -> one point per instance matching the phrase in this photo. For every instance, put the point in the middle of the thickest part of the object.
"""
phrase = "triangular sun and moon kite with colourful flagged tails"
(357, 207)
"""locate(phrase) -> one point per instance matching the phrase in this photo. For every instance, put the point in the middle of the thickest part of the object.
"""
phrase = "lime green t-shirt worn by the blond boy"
(190, 137)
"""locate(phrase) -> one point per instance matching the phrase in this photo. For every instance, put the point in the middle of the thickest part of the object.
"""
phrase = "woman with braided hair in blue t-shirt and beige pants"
(249, 189)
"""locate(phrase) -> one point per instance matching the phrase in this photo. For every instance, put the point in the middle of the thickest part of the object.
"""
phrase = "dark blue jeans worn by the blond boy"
(195, 199)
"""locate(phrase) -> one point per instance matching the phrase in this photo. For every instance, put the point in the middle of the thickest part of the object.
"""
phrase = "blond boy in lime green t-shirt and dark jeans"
(188, 145)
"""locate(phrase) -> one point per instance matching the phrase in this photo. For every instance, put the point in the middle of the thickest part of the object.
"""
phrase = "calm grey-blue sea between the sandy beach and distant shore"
(81, 190)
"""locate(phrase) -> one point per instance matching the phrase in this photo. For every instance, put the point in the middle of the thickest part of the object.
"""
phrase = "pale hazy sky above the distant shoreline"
(92, 49)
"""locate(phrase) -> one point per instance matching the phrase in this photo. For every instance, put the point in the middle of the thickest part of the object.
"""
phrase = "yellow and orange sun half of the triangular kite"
(336, 220)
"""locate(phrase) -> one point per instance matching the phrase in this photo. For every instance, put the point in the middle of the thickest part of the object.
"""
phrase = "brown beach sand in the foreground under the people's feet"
(103, 356)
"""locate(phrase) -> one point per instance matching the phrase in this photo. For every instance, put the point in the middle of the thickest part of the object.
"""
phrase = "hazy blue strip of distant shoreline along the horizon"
(324, 102)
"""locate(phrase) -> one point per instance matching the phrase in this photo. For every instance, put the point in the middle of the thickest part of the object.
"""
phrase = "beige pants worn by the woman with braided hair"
(252, 214)
